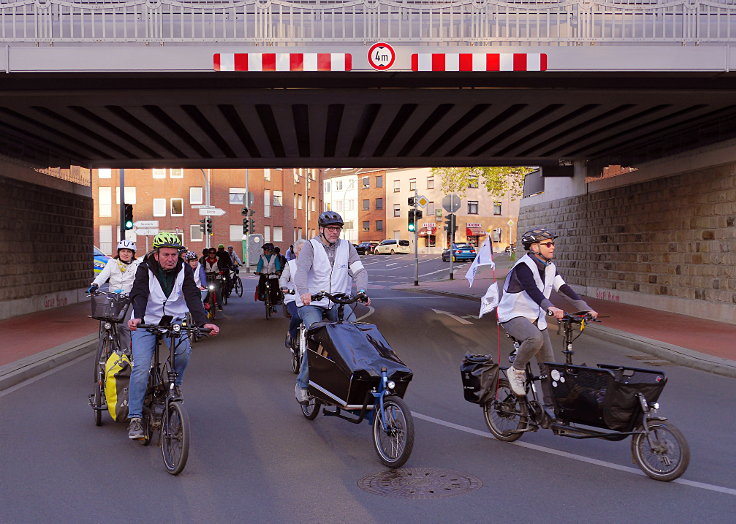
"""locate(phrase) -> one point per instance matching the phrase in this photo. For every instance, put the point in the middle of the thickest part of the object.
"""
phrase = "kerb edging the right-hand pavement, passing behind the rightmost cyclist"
(675, 354)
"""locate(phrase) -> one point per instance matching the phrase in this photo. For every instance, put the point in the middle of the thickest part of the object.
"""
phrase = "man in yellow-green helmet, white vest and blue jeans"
(164, 285)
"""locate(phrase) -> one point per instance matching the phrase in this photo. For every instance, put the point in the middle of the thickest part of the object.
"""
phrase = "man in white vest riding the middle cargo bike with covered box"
(326, 263)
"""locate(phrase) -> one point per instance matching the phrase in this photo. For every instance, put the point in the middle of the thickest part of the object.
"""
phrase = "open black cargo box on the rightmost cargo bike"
(605, 396)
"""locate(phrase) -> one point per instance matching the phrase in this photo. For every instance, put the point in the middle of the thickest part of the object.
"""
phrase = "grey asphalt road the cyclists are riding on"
(255, 458)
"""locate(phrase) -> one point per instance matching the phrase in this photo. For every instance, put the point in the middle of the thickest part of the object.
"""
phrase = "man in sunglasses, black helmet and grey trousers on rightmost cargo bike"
(525, 304)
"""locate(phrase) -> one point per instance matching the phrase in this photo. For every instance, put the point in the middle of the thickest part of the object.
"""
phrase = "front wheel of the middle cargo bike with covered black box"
(393, 432)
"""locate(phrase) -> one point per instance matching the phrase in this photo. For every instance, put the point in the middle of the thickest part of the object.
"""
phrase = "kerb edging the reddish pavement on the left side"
(31, 366)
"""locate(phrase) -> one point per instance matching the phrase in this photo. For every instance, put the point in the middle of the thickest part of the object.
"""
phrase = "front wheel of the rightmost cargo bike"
(662, 453)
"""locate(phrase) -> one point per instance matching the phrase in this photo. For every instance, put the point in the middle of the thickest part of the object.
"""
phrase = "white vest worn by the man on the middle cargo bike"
(323, 277)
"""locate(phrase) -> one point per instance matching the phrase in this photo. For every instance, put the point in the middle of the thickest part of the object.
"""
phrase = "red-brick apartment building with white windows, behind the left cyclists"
(286, 204)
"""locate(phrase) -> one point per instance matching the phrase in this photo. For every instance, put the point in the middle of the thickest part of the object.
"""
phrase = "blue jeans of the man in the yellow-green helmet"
(143, 345)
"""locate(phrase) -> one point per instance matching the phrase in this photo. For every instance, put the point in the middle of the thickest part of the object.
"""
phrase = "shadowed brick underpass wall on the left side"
(45, 244)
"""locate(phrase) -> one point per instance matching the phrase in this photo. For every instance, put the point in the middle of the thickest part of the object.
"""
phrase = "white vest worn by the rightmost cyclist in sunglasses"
(520, 304)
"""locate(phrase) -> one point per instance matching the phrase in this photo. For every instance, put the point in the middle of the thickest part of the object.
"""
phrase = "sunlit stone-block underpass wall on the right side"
(668, 243)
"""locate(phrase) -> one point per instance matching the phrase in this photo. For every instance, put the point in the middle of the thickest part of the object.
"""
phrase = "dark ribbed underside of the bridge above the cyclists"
(357, 119)
